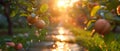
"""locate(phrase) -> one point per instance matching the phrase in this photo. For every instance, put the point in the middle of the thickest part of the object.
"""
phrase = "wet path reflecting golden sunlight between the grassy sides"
(59, 39)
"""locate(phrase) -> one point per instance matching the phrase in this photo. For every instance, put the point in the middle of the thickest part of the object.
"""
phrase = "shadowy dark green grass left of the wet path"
(27, 39)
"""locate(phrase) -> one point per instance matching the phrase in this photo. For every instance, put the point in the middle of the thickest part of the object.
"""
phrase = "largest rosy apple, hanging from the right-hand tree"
(102, 26)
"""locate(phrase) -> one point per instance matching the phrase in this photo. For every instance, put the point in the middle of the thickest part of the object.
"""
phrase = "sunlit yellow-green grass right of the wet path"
(110, 42)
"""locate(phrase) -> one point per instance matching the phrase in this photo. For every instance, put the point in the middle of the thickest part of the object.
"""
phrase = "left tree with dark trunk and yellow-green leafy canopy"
(25, 8)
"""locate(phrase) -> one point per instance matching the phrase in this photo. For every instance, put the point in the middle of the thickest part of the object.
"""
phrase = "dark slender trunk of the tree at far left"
(7, 14)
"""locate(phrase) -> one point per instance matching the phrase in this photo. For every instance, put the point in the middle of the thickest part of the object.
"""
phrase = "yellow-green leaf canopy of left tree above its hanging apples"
(24, 8)
